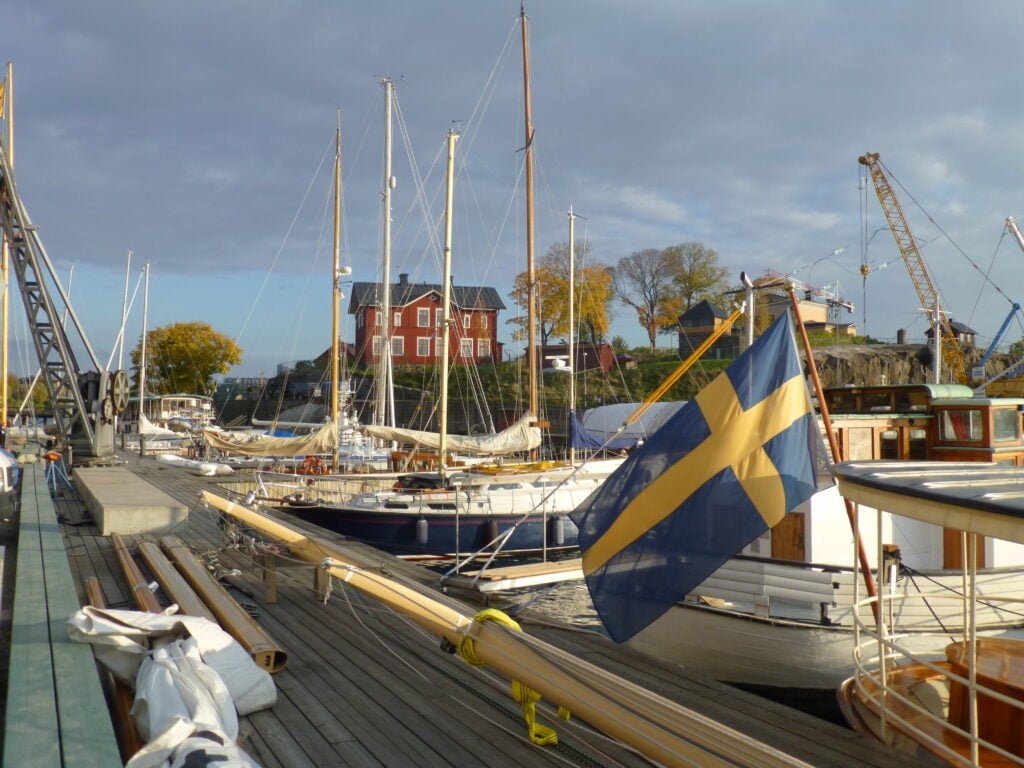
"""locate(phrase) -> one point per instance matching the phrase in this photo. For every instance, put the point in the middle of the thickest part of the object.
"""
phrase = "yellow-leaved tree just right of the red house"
(592, 295)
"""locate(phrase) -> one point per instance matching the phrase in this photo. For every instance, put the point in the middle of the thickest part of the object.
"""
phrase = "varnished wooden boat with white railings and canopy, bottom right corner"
(962, 704)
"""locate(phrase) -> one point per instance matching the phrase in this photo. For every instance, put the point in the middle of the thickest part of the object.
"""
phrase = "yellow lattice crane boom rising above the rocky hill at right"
(929, 297)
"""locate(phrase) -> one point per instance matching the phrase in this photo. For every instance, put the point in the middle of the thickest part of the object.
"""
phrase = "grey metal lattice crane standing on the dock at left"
(86, 401)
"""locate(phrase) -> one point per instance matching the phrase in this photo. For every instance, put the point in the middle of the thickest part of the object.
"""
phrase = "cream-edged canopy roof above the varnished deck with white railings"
(977, 497)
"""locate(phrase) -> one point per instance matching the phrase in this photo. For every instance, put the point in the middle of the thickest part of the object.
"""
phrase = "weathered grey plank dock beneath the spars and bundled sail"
(366, 688)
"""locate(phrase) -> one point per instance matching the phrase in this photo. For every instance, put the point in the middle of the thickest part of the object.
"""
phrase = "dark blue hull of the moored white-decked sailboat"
(442, 535)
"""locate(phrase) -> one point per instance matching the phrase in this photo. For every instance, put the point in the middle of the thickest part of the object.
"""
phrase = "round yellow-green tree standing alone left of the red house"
(185, 358)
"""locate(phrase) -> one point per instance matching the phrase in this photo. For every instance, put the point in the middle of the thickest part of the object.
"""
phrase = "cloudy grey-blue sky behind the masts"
(199, 137)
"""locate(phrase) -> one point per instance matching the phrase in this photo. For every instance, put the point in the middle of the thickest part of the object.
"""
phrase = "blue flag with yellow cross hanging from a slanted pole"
(717, 476)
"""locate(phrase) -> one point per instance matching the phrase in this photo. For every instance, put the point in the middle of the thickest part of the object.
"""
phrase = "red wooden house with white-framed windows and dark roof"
(416, 319)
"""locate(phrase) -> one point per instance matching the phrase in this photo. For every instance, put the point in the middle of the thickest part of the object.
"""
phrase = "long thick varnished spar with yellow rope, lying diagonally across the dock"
(661, 730)
